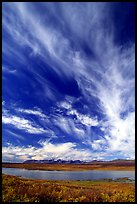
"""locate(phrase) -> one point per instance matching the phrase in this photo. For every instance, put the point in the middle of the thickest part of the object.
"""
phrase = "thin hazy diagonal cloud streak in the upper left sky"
(44, 40)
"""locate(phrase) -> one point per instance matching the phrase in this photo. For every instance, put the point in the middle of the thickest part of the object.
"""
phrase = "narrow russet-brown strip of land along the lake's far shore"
(113, 165)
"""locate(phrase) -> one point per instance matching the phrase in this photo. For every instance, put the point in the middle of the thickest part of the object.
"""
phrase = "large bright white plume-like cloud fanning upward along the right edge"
(114, 88)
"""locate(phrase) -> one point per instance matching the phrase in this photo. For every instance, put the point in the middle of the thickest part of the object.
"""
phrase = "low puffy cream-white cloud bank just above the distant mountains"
(48, 150)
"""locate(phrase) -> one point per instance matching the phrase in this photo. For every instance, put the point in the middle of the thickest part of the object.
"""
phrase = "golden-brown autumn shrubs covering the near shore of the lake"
(15, 189)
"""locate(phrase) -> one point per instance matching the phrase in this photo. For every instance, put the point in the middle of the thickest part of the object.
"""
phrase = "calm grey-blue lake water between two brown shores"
(69, 175)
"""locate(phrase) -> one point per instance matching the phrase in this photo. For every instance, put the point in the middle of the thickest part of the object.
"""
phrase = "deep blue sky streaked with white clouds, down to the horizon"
(68, 81)
